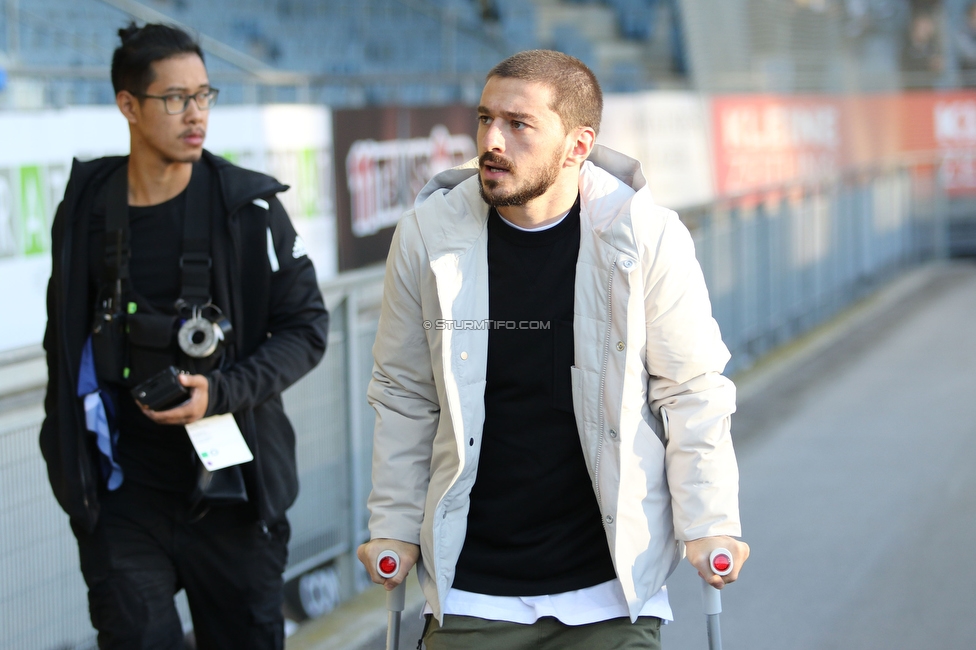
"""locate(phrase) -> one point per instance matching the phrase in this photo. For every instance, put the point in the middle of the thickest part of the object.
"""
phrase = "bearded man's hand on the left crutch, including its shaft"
(388, 562)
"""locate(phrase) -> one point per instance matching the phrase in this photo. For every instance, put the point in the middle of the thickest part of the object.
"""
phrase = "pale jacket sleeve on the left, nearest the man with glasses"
(403, 393)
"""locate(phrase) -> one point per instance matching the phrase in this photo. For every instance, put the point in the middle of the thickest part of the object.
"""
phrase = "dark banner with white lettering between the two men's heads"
(383, 158)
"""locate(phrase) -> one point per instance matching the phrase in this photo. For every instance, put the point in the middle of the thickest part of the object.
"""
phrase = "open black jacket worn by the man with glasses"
(280, 330)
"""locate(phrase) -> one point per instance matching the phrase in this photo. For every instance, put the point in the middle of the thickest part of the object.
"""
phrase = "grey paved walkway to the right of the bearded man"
(858, 493)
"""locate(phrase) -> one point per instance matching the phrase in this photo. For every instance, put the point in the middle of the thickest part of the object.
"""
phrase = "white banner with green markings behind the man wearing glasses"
(291, 142)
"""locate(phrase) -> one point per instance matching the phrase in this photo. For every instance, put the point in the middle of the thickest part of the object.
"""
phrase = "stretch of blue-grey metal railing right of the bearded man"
(779, 261)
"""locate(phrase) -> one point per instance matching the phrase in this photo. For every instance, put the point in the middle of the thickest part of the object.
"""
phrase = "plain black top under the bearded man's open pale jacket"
(534, 526)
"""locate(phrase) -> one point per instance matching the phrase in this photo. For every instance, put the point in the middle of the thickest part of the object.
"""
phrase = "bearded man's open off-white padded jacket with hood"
(652, 407)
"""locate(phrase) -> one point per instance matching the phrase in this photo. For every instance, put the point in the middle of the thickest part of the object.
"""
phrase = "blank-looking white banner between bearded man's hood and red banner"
(668, 133)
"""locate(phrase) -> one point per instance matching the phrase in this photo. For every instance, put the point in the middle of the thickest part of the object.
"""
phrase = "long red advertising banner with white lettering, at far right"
(765, 140)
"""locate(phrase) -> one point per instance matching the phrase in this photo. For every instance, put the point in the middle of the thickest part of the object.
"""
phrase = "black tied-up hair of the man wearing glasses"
(143, 46)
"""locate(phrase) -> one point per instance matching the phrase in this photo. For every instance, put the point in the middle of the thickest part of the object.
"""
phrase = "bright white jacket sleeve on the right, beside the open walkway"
(685, 357)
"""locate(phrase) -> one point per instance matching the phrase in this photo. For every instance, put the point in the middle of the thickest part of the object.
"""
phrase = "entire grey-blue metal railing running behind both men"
(777, 262)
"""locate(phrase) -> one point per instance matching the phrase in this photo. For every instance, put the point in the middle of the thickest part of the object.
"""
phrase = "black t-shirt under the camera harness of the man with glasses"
(150, 454)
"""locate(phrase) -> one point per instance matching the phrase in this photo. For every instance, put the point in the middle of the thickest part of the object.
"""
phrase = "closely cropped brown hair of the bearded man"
(576, 94)
